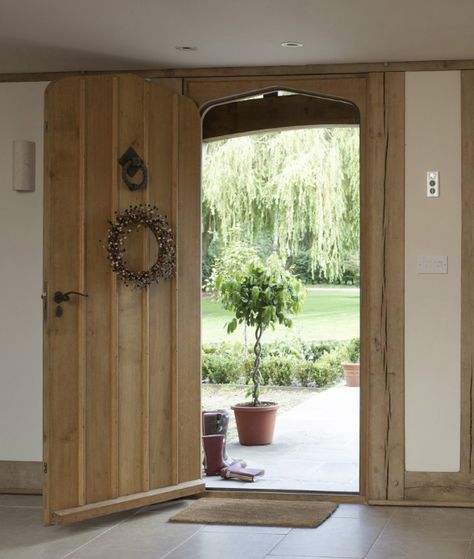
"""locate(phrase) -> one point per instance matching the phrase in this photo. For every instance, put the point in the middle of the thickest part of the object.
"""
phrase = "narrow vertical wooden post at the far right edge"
(467, 271)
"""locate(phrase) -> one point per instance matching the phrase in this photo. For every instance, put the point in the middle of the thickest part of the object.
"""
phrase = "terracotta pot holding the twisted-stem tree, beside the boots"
(255, 425)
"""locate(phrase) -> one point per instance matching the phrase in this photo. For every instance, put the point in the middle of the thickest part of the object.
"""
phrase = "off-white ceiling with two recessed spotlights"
(60, 35)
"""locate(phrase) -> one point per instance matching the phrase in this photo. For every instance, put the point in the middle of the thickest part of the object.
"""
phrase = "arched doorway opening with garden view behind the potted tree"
(281, 184)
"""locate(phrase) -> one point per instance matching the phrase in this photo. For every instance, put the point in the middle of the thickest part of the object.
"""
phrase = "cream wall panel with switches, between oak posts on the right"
(432, 310)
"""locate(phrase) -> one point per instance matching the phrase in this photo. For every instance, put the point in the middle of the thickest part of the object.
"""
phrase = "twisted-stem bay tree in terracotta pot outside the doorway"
(260, 295)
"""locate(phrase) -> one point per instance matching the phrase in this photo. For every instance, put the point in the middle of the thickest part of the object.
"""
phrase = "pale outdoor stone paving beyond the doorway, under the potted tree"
(316, 447)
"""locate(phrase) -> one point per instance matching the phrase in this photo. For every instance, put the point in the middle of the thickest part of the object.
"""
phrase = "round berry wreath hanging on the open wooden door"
(136, 217)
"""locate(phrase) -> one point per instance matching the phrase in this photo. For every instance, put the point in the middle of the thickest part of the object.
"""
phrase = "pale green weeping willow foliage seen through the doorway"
(299, 189)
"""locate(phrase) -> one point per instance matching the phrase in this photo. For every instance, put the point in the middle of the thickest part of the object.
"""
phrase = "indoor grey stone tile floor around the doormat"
(352, 532)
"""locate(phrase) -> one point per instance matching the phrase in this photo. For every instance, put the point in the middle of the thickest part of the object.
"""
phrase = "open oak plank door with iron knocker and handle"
(122, 366)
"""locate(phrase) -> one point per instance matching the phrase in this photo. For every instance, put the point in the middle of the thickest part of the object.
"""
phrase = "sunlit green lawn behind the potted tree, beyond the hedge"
(327, 314)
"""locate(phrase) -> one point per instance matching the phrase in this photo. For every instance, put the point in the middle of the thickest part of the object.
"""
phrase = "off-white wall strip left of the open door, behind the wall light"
(21, 222)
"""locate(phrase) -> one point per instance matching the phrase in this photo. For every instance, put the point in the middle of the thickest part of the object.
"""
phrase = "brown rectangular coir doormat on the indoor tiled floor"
(256, 512)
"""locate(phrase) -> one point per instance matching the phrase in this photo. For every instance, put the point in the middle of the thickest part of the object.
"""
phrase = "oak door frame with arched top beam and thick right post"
(380, 99)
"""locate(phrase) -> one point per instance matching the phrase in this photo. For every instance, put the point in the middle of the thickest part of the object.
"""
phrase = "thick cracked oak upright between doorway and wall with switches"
(385, 277)
